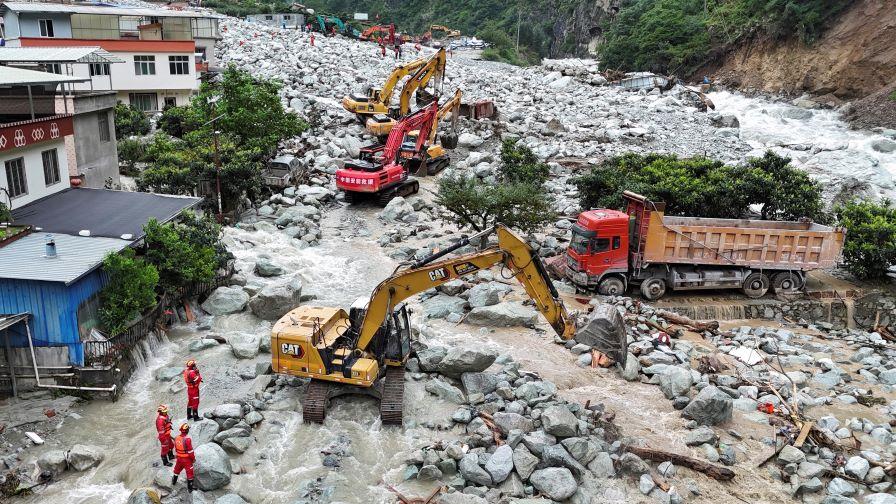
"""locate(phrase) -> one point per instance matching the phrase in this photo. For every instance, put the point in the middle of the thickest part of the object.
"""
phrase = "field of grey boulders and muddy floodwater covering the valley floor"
(497, 408)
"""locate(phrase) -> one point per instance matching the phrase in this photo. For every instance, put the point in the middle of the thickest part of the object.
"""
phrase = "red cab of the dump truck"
(597, 256)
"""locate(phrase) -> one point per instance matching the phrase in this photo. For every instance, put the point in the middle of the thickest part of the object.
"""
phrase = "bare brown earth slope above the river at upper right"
(855, 57)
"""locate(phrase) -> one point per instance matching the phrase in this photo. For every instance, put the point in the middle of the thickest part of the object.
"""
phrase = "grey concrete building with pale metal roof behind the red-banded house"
(94, 153)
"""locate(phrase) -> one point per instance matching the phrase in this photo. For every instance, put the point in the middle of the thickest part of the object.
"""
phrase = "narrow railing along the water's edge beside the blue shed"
(110, 351)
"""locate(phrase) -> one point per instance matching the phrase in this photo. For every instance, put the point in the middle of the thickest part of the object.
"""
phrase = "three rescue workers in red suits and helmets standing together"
(180, 449)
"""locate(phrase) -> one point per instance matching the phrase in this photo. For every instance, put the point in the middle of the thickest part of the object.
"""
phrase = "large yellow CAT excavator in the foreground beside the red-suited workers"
(364, 350)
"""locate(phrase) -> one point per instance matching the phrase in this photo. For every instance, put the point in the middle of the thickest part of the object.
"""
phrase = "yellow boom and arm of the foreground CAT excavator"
(511, 251)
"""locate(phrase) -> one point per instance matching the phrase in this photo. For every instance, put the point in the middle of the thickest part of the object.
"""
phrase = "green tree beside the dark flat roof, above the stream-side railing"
(180, 254)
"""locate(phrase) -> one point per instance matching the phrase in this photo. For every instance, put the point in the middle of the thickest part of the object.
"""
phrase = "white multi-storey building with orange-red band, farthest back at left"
(163, 52)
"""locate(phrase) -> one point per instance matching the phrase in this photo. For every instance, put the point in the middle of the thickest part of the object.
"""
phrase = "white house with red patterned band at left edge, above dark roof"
(34, 159)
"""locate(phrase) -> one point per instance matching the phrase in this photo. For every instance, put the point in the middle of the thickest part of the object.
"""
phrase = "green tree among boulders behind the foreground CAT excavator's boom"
(518, 199)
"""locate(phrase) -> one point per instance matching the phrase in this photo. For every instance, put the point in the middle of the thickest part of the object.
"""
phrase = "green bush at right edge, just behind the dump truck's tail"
(870, 247)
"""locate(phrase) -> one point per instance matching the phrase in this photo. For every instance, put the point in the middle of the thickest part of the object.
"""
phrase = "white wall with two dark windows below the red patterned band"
(34, 171)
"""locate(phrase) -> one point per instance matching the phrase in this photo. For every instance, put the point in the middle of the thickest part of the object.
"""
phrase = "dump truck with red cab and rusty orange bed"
(612, 249)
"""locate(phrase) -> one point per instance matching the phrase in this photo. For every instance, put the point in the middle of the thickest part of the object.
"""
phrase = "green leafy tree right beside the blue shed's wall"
(130, 290)
